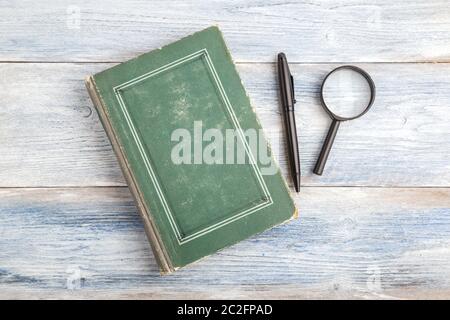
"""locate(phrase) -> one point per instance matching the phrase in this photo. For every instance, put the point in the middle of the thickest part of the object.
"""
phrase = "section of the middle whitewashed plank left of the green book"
(50, 134)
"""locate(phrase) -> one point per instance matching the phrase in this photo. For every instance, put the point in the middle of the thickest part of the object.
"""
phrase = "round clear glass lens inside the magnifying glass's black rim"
(346, 93)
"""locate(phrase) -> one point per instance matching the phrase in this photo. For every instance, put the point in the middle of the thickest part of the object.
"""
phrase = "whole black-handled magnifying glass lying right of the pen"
(347, 93)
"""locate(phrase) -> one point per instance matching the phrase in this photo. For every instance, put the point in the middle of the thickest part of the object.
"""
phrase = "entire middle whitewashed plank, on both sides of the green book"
(50, 135)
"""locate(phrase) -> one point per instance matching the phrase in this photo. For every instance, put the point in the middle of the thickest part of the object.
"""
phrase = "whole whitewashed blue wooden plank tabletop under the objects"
(375, 225)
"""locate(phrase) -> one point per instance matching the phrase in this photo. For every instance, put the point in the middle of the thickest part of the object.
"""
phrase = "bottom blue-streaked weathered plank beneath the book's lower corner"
(348, 242)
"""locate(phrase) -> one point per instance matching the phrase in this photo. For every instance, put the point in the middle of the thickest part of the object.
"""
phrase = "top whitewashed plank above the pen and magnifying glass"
(308, 31)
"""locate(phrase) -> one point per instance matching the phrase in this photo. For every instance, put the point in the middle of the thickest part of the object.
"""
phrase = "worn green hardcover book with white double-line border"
(191, 148)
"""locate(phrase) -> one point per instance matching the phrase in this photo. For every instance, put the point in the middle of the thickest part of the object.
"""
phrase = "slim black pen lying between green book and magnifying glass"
(288, 100)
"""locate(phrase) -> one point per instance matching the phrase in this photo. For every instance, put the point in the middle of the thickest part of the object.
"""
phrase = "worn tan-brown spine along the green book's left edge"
(150, 227)
